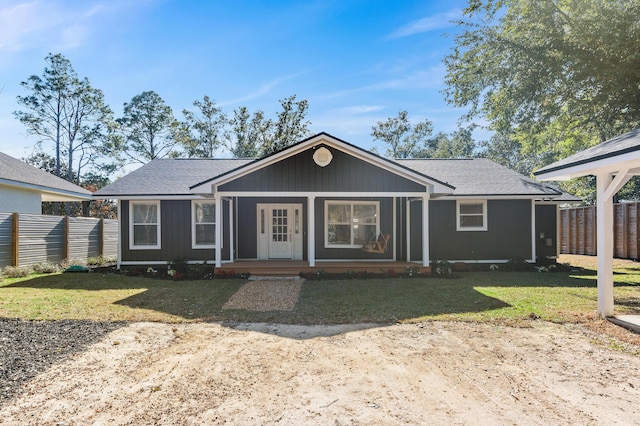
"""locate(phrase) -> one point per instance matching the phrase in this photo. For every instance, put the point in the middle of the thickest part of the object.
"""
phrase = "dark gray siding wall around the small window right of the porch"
(508, 233)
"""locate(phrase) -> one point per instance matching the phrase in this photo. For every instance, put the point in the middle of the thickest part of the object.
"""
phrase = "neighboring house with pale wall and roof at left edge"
(23, 187)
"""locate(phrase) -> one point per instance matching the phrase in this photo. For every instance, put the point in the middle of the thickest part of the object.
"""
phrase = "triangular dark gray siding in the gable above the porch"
(345, 173)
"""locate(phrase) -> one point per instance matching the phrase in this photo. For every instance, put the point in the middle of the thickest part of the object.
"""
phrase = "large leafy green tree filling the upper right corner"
(525, 64)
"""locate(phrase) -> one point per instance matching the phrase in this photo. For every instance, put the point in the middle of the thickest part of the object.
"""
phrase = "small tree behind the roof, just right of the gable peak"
(403, 139)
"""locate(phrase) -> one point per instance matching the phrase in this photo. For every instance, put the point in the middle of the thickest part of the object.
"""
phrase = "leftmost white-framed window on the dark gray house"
(144, 225)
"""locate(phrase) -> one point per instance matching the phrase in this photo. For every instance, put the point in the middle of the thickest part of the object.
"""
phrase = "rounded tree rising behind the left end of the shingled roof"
(203, 131)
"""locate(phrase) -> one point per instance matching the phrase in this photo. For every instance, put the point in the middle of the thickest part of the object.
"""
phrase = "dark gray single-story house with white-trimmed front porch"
(323, 199)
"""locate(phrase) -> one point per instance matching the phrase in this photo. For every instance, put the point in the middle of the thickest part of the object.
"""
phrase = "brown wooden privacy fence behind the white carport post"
(578, 230)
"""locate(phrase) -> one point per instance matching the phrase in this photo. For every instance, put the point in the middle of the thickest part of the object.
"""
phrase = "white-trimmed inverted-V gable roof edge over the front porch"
(324, 138)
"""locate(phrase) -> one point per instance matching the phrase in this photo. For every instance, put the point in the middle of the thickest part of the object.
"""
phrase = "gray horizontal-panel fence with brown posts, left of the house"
(29, 239)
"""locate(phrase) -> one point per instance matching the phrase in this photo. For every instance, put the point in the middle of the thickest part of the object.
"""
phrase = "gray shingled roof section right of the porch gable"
(480, 177)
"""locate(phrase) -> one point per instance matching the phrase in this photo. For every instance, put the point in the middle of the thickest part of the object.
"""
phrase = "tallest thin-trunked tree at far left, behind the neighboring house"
(68, 112)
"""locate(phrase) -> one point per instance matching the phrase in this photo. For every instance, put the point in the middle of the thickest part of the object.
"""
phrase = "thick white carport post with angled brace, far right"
(606, 189)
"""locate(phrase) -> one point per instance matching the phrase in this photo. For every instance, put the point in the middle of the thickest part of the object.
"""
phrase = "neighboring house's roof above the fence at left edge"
(18, 174)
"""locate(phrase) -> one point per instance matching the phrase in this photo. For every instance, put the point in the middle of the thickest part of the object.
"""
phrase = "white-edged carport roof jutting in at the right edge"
(609, 156)
